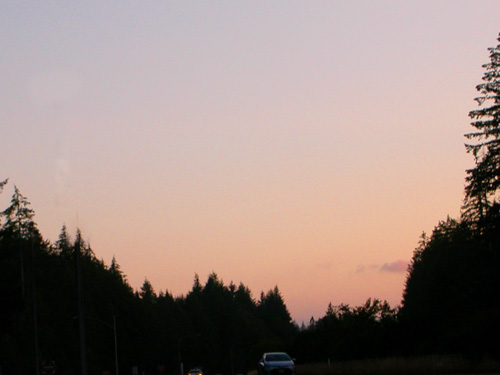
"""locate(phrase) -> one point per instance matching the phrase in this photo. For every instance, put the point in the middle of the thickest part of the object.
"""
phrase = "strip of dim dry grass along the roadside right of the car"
(402, 366)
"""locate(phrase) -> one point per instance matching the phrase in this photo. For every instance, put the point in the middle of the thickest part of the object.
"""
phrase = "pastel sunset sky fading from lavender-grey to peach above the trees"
(303, 144)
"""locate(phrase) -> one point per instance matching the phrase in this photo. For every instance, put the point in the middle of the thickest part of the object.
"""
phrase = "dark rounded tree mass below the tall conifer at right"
(450, 297)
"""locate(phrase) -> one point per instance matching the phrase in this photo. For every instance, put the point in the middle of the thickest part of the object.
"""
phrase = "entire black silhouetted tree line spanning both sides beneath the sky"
(449, 305)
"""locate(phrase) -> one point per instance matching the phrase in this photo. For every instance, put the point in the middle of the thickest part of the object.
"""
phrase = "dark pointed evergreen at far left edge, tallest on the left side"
(23, 254)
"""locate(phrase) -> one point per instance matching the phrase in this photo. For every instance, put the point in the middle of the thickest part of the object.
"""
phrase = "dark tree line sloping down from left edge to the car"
(222, 328)
